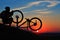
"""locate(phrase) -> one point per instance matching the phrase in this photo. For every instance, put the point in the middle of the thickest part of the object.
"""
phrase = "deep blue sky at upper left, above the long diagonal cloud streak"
(13, 3)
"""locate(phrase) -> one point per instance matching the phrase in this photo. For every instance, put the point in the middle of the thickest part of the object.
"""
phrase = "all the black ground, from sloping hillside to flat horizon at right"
(7, 32)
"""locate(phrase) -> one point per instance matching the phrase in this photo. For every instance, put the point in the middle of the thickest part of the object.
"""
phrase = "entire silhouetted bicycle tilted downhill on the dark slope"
(30, 22)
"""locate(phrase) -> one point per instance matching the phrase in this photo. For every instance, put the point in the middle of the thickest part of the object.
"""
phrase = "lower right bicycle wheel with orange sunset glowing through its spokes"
(35, 24)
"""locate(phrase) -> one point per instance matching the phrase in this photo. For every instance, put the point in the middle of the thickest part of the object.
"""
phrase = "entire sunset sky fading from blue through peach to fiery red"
(47, 10)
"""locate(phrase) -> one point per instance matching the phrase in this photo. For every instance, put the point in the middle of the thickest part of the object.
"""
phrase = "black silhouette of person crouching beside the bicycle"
(6, 16)
